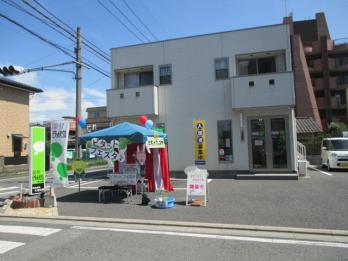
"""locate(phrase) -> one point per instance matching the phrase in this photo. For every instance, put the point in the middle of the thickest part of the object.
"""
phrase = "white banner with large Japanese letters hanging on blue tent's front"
(112, 151)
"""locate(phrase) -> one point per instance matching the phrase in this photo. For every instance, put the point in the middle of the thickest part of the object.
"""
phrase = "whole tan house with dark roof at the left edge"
(14, 122)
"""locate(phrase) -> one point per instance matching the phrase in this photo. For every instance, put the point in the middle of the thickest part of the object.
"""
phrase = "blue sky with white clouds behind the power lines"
(165, 19)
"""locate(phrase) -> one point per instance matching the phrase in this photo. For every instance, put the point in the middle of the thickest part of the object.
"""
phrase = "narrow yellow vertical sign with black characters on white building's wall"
(199, 134)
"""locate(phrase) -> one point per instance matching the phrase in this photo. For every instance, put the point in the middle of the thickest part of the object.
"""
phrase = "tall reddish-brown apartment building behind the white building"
(320, 67)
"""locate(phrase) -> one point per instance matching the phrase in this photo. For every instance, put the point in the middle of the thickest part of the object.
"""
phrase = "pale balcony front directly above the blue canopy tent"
(132, 101)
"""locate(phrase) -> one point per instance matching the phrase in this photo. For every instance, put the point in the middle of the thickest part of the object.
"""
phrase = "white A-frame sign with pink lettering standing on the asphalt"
(196, 184)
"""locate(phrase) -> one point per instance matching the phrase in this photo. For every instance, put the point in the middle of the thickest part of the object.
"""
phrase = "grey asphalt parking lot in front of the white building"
(316, 201)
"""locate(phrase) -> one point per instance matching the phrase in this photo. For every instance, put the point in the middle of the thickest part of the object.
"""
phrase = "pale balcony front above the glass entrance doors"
(263, 90)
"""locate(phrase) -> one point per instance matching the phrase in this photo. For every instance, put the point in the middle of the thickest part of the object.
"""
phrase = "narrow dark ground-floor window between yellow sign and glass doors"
(225, 152)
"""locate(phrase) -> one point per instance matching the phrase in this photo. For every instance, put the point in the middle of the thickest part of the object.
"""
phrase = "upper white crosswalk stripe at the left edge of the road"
(26, 230)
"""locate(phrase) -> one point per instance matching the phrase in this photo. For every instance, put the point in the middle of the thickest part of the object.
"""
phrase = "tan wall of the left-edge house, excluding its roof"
(14, 119)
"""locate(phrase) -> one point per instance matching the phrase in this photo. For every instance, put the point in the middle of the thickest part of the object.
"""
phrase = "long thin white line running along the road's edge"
(237, 238)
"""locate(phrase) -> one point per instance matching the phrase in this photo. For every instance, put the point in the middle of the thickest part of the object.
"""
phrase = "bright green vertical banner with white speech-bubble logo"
(37, 160)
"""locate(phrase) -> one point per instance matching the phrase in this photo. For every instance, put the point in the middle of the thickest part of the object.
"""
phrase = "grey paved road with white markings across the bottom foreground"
(76, 241)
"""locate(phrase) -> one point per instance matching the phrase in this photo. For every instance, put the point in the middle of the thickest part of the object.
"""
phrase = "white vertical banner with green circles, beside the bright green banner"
(59, 146)
